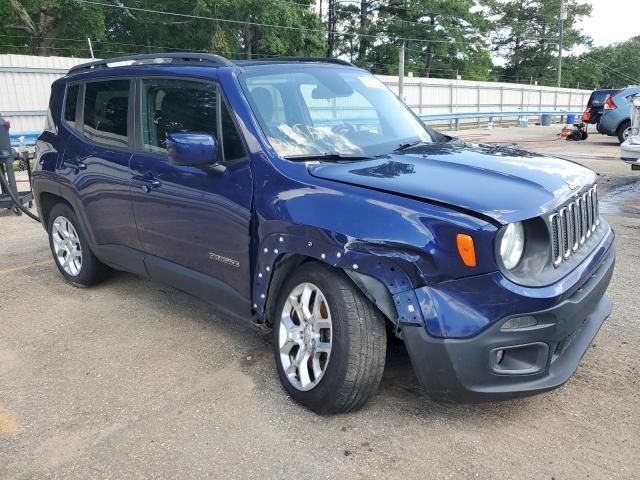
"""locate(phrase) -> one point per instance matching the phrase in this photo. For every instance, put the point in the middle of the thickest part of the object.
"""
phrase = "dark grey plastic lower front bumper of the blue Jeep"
(535, 359)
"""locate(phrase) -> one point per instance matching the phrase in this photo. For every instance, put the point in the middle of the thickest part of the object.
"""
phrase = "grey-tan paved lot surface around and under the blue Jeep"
(132, 379)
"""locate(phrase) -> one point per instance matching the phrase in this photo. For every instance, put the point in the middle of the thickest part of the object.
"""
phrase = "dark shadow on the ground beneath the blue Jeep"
(399, 388)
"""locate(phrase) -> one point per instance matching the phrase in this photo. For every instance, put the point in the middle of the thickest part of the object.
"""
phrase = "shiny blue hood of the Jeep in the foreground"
(500, 182)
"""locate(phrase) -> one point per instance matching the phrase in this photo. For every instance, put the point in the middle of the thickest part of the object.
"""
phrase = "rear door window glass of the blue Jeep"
(106, 108)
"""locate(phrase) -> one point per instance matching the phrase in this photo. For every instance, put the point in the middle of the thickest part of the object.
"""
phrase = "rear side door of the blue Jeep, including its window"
(96, 157)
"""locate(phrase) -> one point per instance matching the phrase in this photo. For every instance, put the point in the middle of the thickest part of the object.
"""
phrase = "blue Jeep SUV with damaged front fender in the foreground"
(302, 195)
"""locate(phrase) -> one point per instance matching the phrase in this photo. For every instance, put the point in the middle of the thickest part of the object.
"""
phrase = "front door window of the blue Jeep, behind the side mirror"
(170, 105)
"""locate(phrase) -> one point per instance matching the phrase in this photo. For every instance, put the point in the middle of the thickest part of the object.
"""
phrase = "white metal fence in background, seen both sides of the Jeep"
(25, 83)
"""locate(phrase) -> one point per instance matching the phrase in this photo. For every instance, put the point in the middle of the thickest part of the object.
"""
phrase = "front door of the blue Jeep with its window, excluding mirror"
(194, 217)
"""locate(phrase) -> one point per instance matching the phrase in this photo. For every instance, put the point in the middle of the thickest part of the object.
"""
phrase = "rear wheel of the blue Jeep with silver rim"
(70, 249)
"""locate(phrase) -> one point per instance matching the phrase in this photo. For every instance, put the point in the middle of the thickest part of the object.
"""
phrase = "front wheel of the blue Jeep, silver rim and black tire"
(330, 341)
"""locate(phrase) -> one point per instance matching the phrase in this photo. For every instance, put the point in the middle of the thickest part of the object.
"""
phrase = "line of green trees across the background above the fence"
(442, 38)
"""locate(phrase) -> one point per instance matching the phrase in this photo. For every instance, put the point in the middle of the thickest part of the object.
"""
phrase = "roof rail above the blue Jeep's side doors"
(156, 58)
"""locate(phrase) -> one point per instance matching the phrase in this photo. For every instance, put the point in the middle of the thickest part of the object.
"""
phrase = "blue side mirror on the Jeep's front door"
(192, 149)
